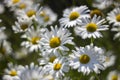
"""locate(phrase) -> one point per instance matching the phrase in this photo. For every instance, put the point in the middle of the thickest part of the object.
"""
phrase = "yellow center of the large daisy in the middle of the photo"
(55, 42)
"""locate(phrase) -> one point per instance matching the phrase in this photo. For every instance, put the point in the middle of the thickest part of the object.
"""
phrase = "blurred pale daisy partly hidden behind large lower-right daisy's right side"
(109, 59)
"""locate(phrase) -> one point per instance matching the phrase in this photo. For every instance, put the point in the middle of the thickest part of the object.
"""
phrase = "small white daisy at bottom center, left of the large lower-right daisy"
(58, 68)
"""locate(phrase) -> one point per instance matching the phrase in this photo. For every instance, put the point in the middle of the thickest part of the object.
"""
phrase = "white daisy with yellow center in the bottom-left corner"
(12, 72)
